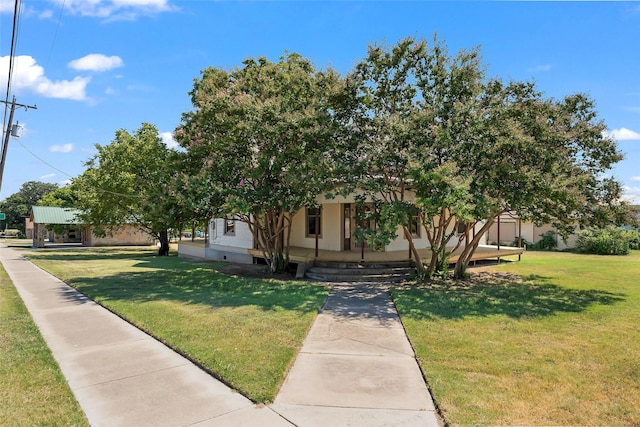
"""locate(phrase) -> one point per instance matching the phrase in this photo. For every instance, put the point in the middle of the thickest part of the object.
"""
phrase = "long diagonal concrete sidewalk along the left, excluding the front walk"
(120, 375)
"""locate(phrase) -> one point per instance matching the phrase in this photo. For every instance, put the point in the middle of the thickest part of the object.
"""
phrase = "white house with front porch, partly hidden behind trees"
(325, 234)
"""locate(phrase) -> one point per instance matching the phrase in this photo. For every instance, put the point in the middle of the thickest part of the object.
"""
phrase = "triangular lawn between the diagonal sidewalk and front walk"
(246, 331)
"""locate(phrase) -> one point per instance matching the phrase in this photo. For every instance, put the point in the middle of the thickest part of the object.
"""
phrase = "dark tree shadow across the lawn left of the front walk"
(186, 281)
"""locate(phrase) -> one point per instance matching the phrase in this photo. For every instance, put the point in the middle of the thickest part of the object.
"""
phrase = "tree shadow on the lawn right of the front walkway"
(492, 294)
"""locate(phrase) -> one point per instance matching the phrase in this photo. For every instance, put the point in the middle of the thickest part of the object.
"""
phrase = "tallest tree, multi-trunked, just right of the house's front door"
(415, 109)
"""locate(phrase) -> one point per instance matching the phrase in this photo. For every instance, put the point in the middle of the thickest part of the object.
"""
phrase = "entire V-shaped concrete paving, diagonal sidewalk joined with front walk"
(356, 366)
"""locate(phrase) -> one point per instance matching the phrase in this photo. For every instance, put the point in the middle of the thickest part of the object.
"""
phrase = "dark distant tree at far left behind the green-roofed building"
(17, 206)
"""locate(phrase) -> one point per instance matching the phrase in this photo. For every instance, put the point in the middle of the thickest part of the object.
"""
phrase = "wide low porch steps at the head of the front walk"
(360, 272)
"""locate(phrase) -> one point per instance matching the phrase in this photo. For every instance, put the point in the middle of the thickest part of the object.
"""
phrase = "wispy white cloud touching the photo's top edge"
(116, 9)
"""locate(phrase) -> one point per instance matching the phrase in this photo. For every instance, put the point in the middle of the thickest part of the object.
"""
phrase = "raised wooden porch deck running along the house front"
(303, 255)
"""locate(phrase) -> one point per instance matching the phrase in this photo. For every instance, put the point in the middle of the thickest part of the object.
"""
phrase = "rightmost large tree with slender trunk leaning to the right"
(540, 157)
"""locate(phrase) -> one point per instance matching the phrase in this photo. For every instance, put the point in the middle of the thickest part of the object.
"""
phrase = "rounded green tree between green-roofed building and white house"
(132, 180)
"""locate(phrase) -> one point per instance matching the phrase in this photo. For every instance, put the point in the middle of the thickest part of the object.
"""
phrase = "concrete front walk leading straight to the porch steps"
(356, 366)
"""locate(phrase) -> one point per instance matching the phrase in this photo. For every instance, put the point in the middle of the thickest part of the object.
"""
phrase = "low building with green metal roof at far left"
(62, 225)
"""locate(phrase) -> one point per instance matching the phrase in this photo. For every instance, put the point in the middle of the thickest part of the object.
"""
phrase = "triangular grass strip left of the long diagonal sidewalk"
(32, 388)
